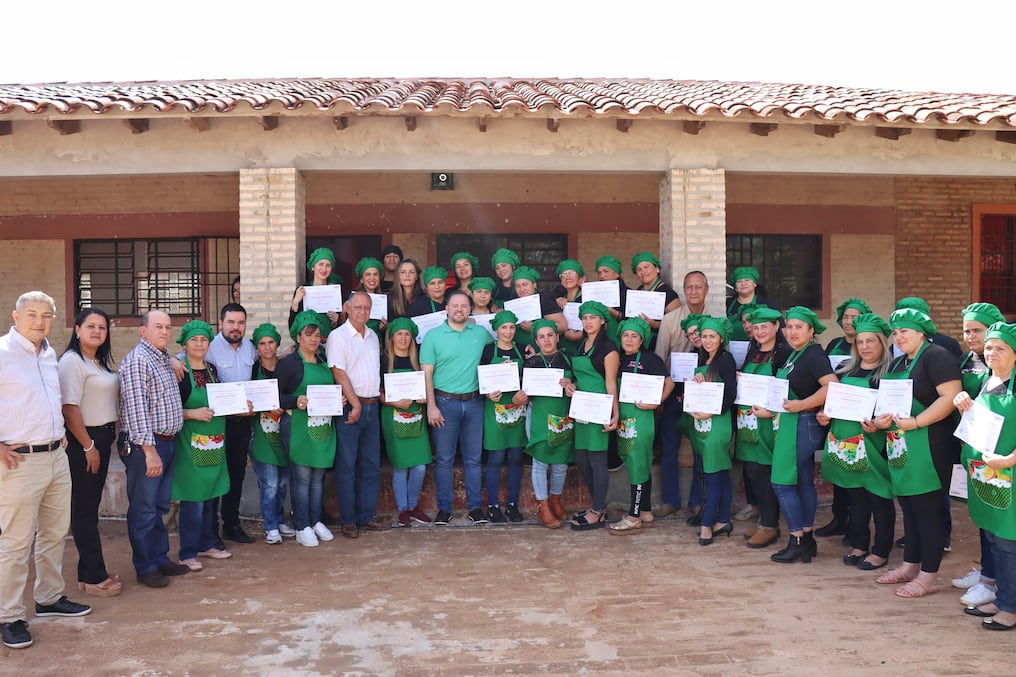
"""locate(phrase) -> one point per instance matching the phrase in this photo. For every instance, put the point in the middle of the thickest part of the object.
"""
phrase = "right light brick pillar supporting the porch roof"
(693, 230)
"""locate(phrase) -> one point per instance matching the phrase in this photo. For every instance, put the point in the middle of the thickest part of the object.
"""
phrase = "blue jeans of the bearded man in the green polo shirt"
(465, 426)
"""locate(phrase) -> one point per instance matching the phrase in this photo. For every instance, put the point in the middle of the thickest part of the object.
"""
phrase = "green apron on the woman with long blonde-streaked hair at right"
(853, 459)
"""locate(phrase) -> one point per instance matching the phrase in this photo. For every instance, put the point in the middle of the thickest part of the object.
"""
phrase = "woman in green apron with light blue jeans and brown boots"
(551, 432)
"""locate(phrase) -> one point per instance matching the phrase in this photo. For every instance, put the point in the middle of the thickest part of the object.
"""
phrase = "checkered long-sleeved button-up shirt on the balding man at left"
(150, 398)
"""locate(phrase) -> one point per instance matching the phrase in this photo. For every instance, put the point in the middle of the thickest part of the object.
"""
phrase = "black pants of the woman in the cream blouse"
(86, 495)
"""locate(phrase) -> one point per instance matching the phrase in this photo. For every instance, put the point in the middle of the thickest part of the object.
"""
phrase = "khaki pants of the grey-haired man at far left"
(35, 509)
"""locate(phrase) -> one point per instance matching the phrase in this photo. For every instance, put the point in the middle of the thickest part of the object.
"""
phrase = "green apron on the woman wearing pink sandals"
(911, 468)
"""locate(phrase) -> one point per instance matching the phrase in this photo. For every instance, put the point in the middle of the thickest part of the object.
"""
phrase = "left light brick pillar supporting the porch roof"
(273, 254)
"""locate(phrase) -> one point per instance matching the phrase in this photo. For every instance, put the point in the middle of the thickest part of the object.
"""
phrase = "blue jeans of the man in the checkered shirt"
(149, 502)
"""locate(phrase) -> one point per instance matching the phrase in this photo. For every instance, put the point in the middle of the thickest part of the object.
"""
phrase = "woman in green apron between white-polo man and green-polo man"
(404, 424)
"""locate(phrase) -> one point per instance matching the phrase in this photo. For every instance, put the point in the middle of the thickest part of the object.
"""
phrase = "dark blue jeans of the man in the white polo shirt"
(358, 466)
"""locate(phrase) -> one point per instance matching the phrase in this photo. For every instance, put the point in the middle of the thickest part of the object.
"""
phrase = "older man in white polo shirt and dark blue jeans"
(355, 357)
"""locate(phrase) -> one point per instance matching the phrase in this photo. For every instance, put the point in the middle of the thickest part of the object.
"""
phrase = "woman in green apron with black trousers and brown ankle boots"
(755, 439)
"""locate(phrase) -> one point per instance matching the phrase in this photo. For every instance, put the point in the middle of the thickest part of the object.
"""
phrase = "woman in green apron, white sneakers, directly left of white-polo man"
(309, 441)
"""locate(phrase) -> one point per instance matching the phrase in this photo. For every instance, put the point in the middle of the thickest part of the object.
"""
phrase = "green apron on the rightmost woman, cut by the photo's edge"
(990, 491)
